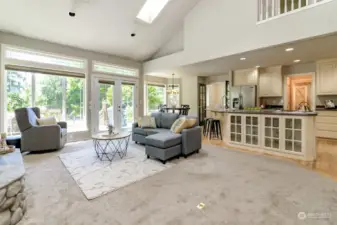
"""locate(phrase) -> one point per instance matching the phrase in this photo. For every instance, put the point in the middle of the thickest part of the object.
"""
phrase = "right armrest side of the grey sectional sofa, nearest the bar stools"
(191, 140)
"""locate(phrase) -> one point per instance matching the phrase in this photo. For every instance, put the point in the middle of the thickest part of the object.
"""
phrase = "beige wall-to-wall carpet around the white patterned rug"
(237, 188)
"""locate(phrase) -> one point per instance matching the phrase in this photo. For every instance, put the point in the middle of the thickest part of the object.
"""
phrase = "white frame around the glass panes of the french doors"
(118, 80)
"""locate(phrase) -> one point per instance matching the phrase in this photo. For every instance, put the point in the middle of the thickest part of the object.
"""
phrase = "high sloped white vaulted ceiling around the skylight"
(100, 25)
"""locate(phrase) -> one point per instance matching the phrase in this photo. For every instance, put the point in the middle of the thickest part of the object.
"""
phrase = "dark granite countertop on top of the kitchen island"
(265, 112)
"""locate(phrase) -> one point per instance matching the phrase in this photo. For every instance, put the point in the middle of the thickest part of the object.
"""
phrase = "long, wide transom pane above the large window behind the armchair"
(37, 57)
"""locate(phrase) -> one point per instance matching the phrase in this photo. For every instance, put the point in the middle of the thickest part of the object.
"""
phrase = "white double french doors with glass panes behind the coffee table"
(114, 103)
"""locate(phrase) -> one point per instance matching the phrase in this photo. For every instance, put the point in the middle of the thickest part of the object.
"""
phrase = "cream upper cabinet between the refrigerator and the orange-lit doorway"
(270, 82)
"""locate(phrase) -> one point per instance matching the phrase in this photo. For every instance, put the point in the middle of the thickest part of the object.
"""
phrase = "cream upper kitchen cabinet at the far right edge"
(327, 77)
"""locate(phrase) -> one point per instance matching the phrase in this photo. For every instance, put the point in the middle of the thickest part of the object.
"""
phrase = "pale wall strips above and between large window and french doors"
(45, 46)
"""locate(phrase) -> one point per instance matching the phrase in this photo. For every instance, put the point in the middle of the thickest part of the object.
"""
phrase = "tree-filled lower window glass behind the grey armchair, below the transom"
(59, 96)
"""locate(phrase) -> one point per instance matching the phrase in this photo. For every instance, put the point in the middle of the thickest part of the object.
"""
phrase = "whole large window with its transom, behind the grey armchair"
(55, 84)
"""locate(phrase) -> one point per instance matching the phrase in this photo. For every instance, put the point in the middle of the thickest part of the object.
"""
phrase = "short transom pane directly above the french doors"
(114, 69)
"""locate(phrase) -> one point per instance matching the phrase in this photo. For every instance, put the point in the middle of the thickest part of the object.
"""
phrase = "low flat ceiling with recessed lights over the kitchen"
(307, 50)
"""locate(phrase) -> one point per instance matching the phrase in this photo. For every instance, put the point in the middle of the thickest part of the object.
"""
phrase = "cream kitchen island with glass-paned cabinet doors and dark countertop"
(289, 134)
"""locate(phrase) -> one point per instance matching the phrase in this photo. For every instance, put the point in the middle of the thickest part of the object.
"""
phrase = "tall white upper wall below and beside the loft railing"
(219, 28)
